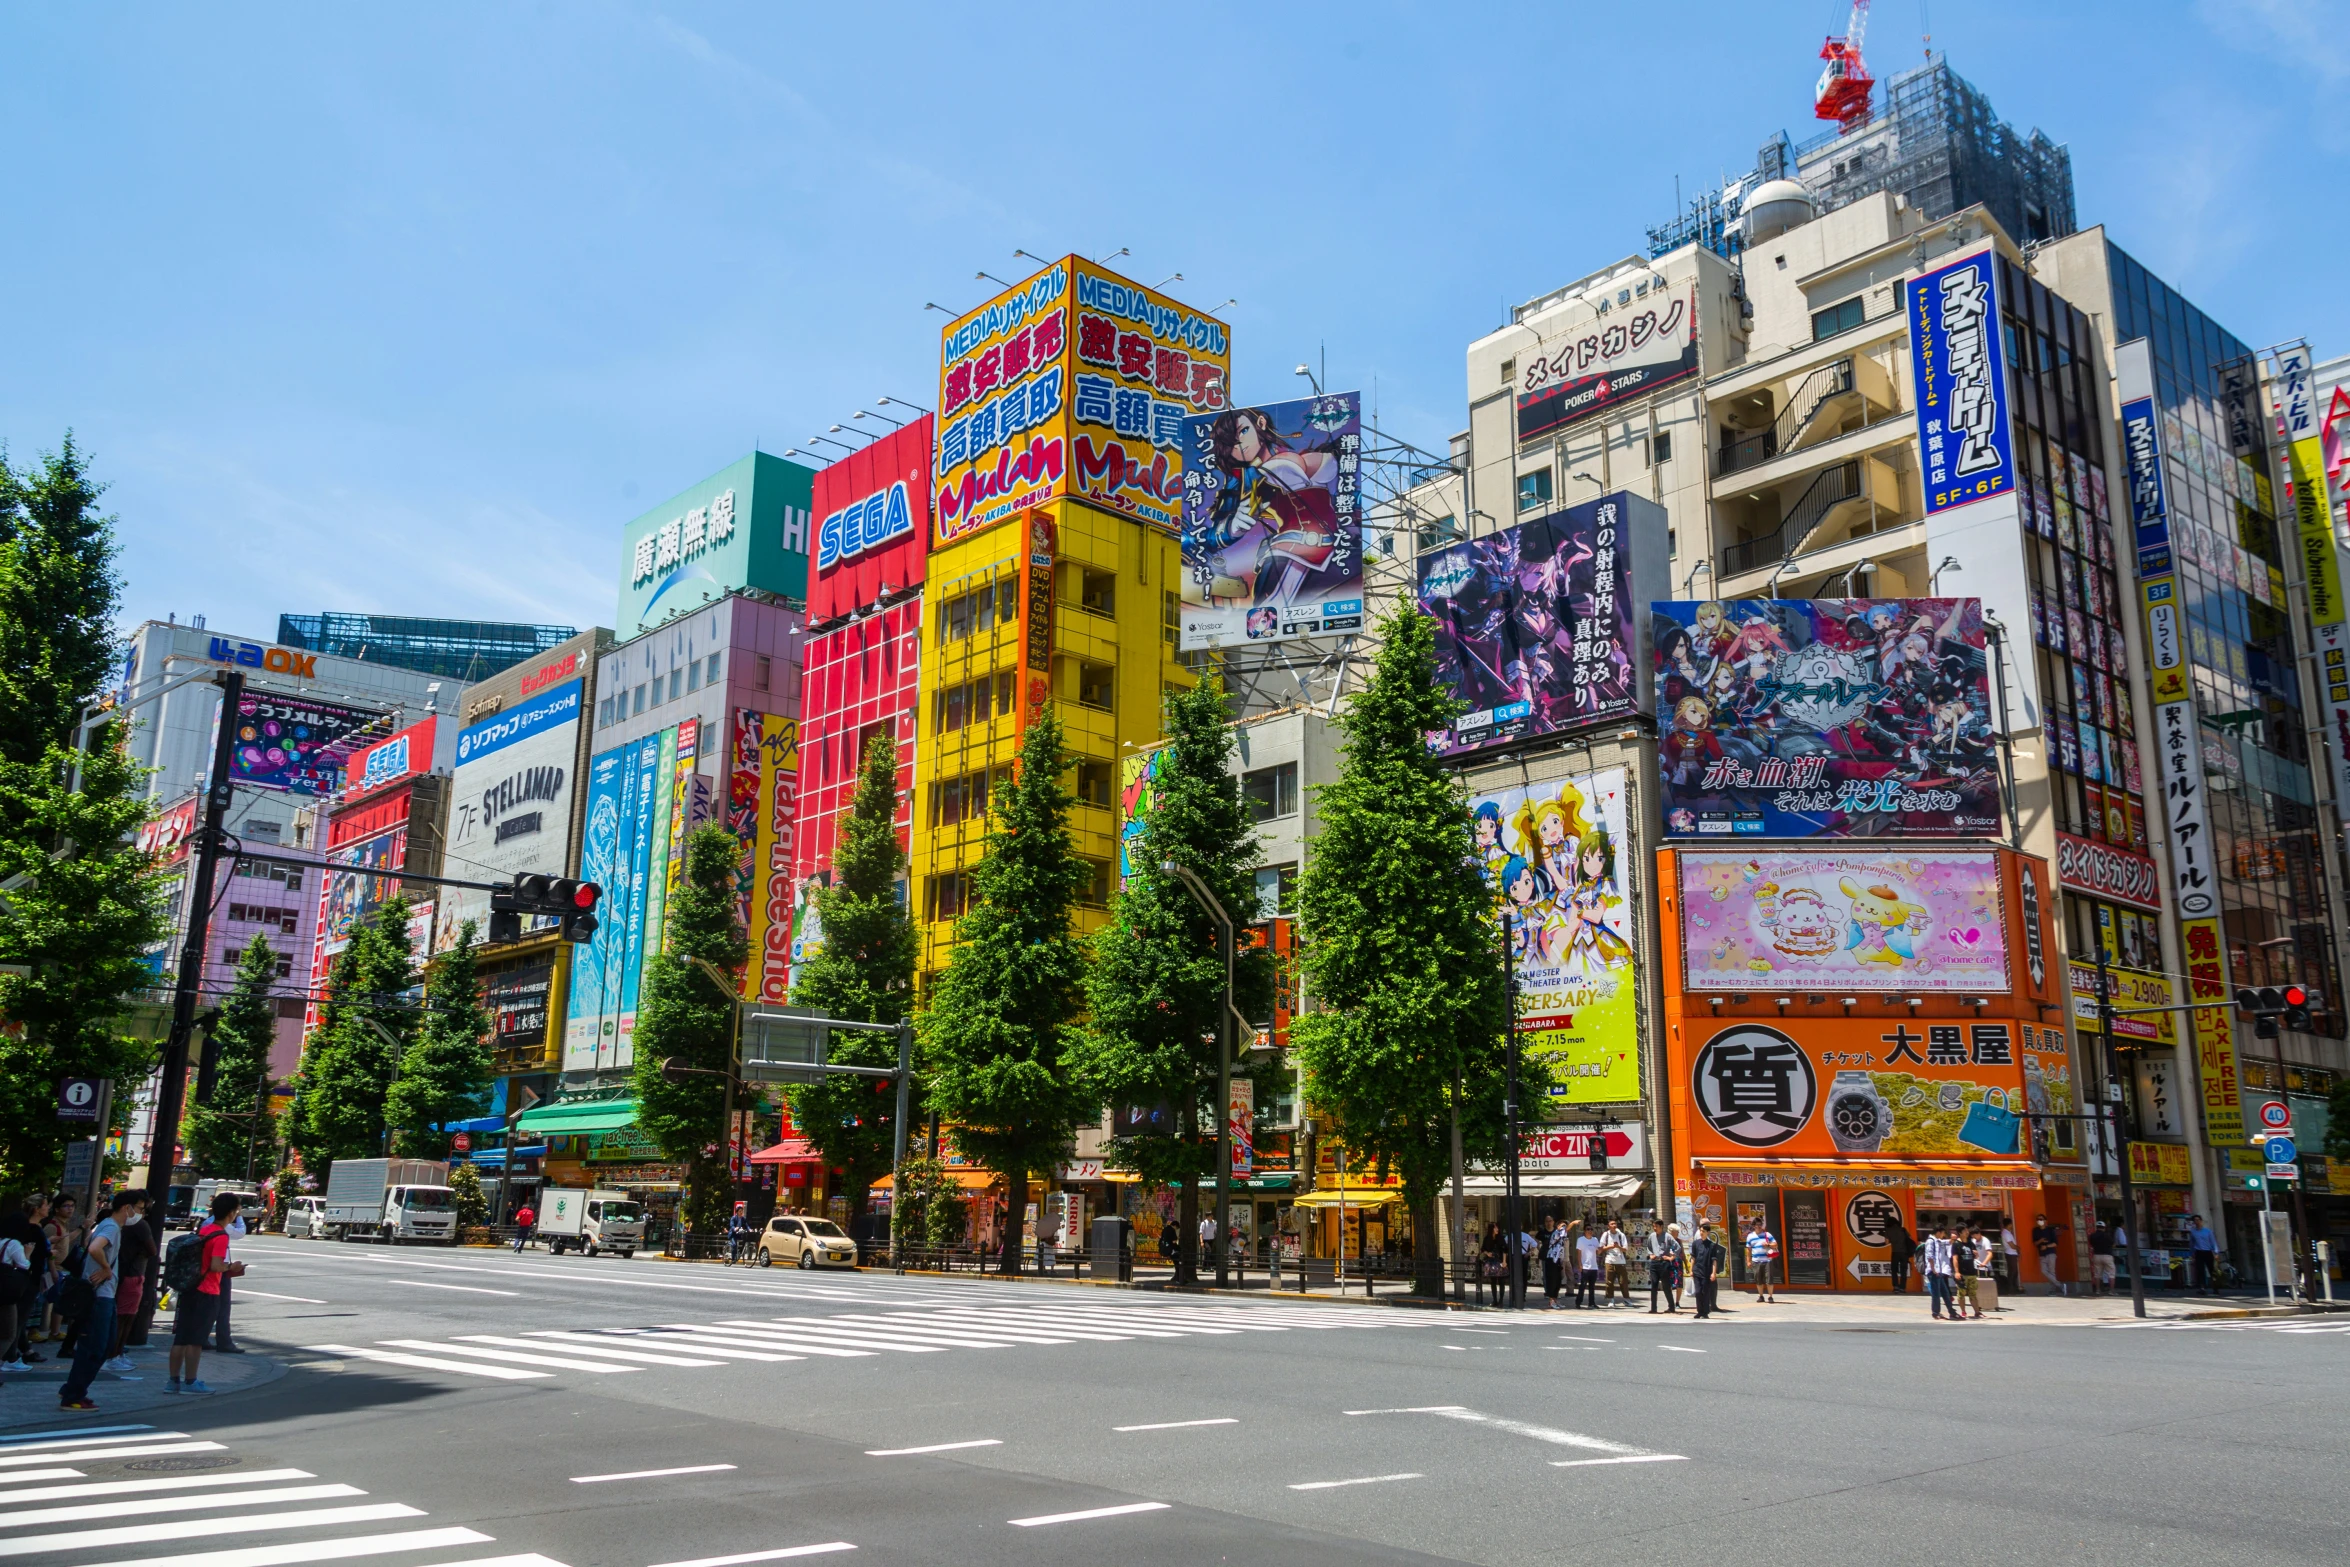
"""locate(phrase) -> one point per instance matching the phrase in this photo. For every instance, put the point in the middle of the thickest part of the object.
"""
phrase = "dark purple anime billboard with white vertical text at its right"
(1536, 628)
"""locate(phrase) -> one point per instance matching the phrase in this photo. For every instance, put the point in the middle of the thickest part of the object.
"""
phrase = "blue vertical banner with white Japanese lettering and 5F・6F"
(1961, 382)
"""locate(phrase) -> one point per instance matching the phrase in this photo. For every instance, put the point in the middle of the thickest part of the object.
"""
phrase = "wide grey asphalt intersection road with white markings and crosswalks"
(485, 1408)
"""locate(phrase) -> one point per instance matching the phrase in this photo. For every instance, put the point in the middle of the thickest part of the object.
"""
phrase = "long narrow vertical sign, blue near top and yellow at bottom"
(2180, 776)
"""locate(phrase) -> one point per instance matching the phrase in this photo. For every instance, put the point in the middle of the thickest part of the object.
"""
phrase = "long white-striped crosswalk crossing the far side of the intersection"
(845, 1336)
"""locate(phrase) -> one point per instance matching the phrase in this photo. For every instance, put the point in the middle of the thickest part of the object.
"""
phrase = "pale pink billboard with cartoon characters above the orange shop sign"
(1851, 922)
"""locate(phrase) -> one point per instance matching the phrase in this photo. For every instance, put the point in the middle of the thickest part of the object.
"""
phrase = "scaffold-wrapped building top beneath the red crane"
(1935, 144)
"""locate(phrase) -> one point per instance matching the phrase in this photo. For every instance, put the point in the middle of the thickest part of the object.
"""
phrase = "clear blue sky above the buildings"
(415, 309)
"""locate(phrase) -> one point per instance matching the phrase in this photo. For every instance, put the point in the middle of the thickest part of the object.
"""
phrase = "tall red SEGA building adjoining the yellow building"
(864, 650)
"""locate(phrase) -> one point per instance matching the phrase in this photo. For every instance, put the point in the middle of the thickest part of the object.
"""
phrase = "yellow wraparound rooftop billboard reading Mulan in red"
(1070, 384)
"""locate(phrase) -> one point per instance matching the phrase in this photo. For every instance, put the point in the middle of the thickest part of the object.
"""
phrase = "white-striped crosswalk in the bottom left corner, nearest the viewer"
(90, 1498)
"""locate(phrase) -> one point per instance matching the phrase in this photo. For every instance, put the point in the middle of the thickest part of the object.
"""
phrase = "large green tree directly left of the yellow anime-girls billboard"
(1402, 950)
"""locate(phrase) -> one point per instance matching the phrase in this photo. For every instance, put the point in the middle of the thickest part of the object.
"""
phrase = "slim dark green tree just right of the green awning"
(690, 1018)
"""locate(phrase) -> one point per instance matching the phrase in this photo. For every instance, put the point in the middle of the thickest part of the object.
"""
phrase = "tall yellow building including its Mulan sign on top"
(1054, 560)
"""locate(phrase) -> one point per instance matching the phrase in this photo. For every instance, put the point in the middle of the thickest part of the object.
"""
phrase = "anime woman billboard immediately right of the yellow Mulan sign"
(1273, 530)
